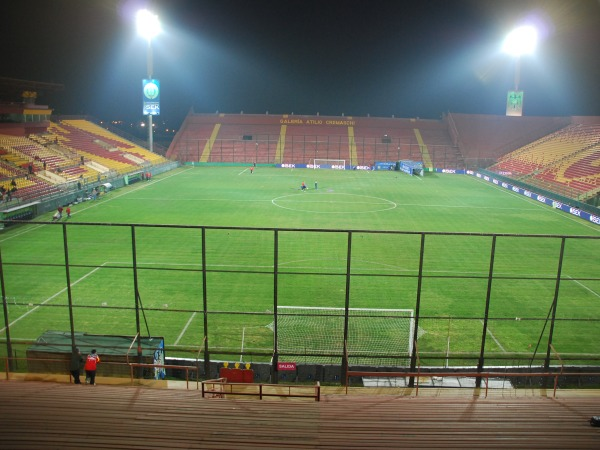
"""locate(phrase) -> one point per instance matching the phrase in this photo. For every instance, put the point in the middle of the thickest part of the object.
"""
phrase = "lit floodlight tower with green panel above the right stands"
(521, 41)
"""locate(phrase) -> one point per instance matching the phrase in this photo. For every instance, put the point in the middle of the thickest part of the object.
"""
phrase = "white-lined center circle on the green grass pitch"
(333, 203)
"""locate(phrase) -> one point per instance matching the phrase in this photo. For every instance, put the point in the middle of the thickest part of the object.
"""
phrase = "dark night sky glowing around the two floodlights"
(380, 58)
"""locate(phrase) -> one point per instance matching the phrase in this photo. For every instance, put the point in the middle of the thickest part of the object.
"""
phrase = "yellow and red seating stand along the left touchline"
(54, 158)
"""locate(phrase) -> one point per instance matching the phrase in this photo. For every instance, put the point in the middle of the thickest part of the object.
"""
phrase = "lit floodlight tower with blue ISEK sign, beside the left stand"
(148, 27)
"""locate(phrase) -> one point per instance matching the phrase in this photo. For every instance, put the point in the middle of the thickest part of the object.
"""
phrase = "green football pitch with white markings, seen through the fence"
(207, 240)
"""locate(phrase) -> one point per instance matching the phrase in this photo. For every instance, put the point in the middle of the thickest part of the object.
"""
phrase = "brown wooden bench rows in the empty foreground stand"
(55, 415)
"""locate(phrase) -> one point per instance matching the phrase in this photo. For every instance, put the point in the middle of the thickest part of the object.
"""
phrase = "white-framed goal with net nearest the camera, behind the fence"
(376, 337)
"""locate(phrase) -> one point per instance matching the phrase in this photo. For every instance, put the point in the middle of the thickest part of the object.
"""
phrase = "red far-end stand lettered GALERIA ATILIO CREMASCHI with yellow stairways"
(302, 139)
